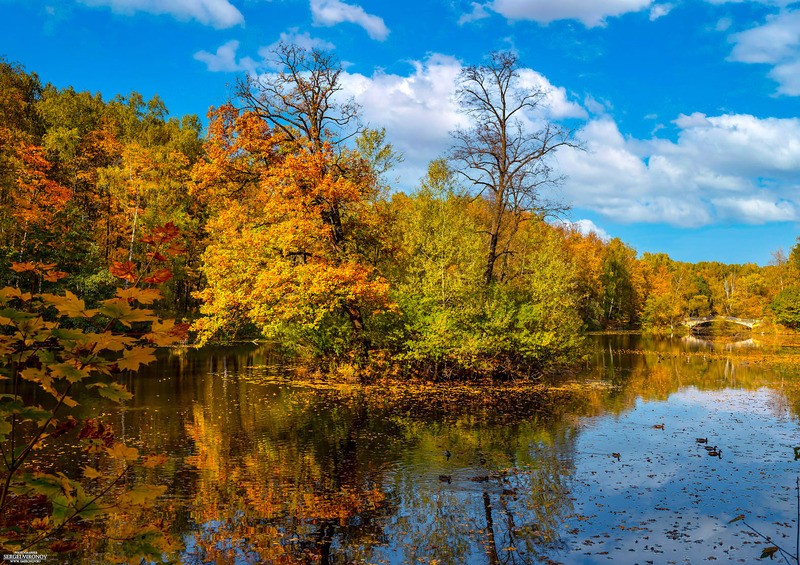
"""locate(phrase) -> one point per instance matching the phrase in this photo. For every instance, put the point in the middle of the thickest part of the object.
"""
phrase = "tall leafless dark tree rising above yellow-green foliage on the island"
(502, 157)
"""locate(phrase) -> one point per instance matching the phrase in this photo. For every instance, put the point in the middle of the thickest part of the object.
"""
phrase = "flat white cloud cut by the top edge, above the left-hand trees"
(217, 13)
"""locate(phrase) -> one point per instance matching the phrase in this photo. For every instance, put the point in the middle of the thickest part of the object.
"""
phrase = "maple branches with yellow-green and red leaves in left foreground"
(50, 346)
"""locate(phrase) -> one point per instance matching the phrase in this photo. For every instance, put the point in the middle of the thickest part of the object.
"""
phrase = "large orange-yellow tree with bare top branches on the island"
(295, 218)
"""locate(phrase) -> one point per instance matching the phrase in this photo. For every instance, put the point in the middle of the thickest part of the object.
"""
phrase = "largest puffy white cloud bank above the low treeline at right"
(733, 167)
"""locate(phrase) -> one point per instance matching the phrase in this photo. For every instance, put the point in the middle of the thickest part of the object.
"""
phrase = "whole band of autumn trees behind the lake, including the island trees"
(292, 231)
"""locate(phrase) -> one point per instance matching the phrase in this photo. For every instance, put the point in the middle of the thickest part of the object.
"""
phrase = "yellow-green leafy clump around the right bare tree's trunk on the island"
(456, 327)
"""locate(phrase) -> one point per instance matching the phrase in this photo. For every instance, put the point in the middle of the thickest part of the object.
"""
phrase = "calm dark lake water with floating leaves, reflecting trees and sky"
(607, 469)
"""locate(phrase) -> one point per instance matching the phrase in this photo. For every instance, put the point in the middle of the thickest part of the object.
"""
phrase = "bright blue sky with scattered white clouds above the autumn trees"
(689, 110)
